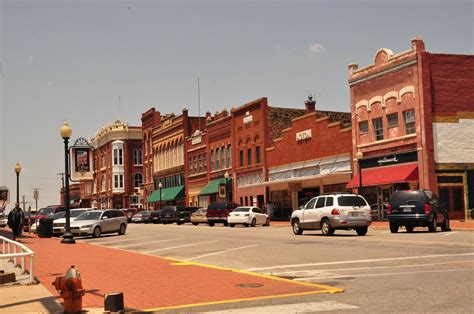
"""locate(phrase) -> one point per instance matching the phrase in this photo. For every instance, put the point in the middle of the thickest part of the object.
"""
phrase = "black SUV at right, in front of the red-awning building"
(417, 208)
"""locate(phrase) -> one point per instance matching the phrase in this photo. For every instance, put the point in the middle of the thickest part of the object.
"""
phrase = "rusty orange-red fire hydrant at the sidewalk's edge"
(70, 289)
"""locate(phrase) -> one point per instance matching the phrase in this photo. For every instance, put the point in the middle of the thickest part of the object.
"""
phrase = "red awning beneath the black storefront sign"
(386, 175)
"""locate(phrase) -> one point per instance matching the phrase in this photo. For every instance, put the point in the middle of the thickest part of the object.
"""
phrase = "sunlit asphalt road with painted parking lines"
(380, 272)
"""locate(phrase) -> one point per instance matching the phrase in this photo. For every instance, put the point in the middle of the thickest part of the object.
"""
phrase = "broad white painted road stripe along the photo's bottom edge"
(293, 308)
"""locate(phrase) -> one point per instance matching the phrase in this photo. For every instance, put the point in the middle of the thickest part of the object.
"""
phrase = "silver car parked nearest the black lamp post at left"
(97, 222)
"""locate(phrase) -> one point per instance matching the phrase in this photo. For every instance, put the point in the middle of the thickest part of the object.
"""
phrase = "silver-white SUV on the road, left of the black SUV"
(331, 212)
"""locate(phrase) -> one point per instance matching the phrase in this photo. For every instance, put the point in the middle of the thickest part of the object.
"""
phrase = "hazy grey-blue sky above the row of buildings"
(72, 60)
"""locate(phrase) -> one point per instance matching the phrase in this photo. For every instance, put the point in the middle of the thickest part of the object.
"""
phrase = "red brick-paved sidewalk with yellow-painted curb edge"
(152, 282)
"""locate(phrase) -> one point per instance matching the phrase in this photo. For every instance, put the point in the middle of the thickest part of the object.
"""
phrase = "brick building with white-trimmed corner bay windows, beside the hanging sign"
(117, 166)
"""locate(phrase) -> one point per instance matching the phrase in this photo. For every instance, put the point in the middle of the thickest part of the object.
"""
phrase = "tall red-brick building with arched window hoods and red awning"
(407, 111)
